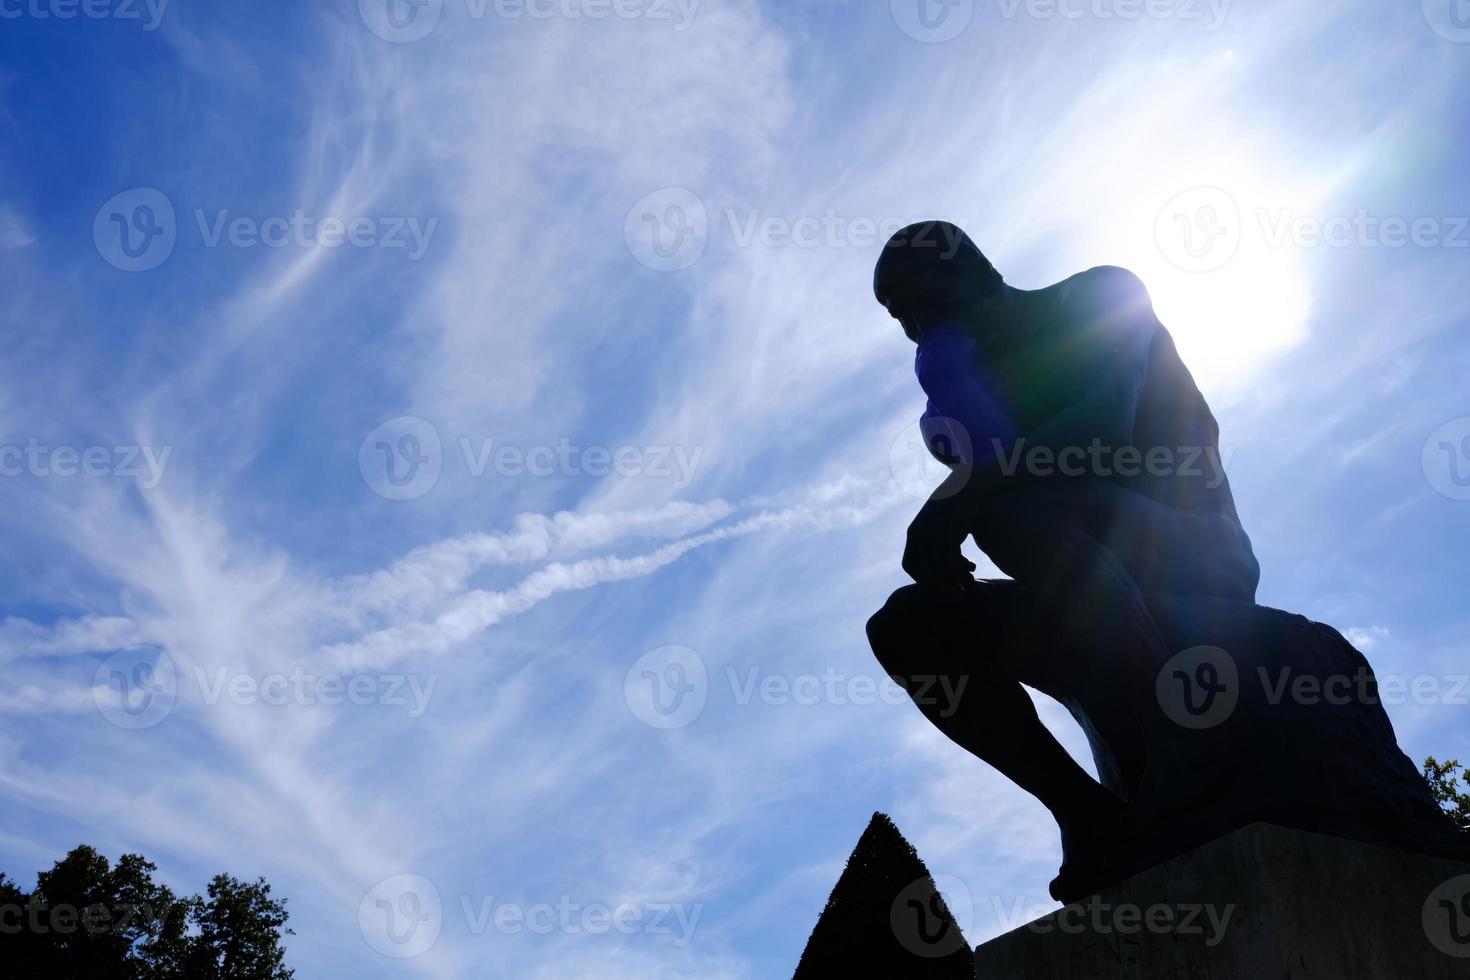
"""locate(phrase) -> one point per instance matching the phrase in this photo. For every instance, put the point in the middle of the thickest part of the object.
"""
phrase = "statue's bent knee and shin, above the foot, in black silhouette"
(937, 644)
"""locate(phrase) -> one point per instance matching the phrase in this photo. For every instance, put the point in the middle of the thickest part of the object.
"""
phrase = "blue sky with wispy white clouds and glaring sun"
(599, 289)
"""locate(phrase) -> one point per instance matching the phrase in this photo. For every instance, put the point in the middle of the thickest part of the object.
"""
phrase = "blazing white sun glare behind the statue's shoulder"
(1200, 218)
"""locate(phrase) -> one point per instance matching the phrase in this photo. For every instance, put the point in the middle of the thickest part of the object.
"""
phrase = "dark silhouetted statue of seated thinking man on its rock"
(1086, 464)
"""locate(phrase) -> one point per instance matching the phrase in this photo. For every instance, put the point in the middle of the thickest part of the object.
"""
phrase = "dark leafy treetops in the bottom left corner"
(89, 920)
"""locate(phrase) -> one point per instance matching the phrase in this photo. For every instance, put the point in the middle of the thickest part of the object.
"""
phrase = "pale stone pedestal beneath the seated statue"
(1261, 903)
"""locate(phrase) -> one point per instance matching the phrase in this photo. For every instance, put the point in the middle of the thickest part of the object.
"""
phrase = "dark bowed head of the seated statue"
(931, 274)
